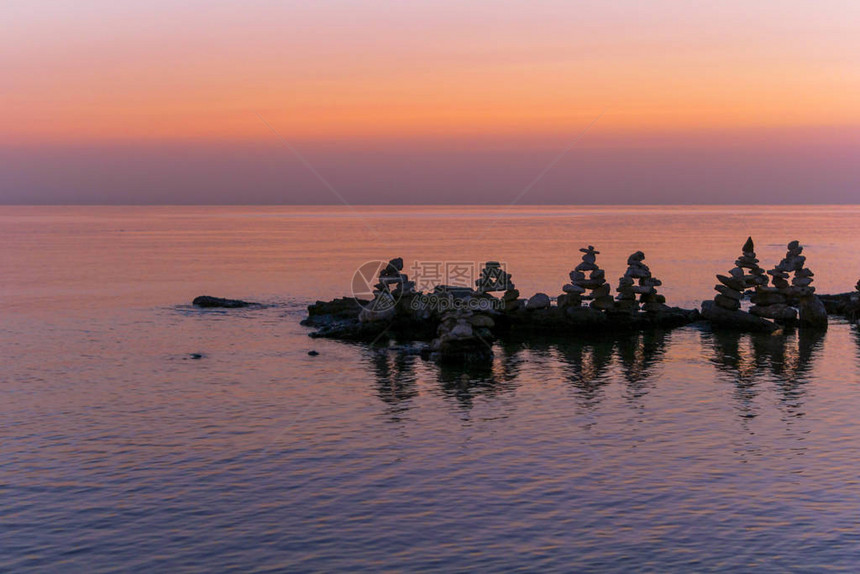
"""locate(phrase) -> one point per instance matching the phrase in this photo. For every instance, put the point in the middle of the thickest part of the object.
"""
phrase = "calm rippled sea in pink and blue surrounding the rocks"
(685, 450)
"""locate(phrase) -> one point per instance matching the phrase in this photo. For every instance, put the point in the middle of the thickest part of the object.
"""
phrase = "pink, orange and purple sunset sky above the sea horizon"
(429, 102)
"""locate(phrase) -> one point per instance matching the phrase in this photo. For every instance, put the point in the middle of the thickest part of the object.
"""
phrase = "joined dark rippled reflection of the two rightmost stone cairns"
(748, 359)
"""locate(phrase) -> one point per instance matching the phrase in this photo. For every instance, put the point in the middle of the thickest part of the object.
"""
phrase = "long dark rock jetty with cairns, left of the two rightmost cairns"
(461, 321)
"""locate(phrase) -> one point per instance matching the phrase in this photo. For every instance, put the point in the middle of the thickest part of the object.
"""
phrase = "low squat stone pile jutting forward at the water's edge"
(463, 336)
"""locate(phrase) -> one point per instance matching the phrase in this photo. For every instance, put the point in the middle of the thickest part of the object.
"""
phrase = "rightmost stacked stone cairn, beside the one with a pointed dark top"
(778, 301)
